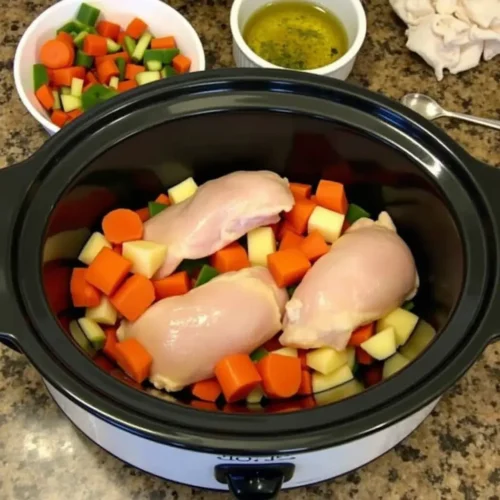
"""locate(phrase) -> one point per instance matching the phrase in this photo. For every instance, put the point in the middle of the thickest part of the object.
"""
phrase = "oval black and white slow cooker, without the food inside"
(445, 205)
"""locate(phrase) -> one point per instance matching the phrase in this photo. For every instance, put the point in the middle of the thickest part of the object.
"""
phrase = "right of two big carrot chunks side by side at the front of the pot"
(281, 375)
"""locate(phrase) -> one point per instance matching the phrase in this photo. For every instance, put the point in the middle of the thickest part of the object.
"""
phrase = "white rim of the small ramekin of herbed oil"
(323, 70)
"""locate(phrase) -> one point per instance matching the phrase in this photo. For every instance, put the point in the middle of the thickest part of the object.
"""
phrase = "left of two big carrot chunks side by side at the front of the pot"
(237, 376)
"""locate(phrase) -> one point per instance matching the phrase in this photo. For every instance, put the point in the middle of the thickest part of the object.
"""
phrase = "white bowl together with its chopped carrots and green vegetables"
(76, 55)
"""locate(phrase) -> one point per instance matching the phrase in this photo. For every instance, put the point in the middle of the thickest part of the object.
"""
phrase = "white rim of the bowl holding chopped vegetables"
(31, 30)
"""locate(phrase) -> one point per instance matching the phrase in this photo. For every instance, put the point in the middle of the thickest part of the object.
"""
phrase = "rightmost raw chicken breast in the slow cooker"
(368, 272)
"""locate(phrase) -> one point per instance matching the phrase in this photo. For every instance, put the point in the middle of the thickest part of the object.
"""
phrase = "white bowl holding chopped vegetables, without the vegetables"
(162, 19)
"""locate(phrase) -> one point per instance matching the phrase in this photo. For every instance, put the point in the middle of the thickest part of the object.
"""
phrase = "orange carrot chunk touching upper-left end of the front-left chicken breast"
(133, 297)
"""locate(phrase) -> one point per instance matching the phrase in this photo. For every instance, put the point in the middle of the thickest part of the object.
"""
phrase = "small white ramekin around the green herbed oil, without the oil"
(349, 12)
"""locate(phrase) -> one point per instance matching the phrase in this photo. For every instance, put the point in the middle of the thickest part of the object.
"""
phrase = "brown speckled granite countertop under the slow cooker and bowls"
(454, 454)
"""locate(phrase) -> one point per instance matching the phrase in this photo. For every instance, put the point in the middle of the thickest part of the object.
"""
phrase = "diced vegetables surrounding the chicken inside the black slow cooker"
(117, 281)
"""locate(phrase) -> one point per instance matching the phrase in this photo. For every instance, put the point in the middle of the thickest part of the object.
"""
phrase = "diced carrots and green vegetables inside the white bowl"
(90, 60)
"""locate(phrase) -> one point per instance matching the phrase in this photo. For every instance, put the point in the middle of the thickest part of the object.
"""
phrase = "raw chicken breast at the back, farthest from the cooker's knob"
(220, 212)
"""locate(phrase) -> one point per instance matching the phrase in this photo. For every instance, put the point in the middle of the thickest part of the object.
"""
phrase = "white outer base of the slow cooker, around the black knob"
(197, 469)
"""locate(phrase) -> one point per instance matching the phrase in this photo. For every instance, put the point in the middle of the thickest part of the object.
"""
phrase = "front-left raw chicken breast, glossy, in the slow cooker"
(187, 335)
